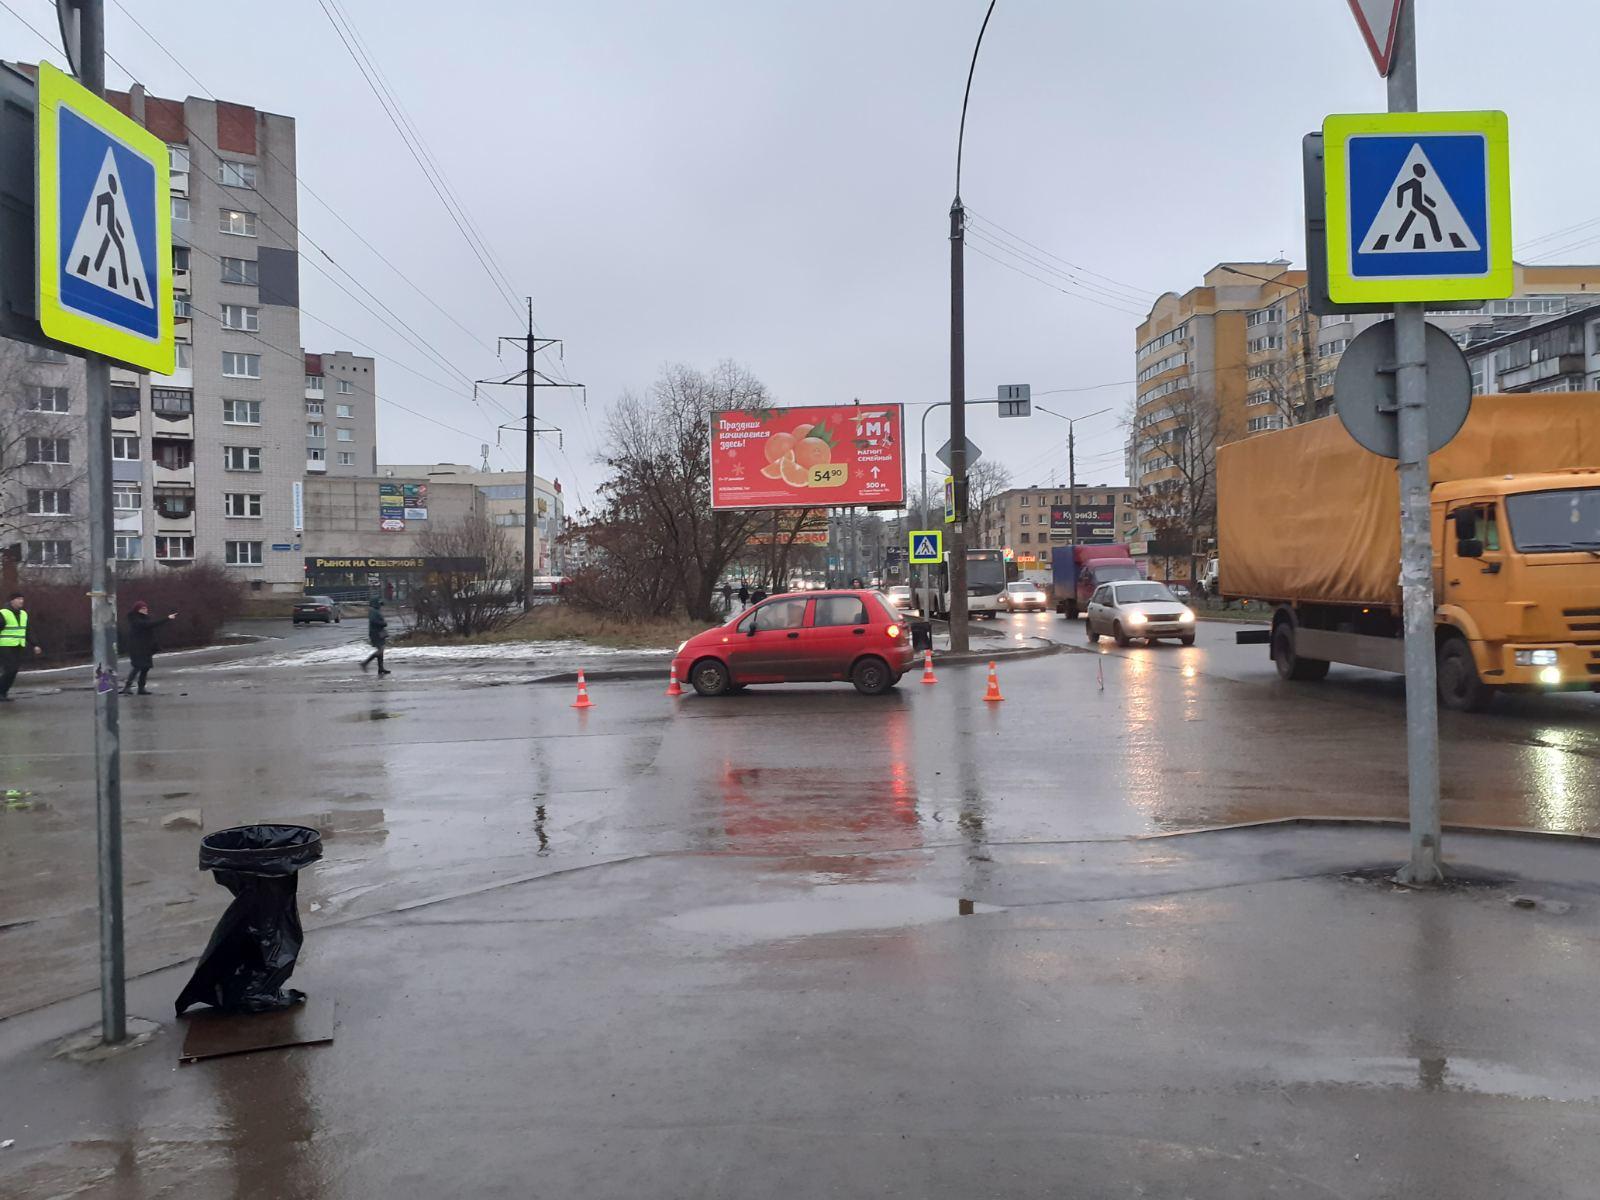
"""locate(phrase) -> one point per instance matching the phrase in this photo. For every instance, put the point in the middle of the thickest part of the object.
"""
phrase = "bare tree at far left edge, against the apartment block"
(44, 450)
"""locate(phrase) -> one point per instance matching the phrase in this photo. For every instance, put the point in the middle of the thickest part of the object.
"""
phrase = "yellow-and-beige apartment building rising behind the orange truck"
(1242, 354)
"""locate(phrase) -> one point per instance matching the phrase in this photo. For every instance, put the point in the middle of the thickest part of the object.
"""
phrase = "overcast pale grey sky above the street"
(770, 180)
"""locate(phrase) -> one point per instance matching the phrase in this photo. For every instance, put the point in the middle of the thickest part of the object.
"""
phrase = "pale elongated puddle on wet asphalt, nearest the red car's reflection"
(838, 910)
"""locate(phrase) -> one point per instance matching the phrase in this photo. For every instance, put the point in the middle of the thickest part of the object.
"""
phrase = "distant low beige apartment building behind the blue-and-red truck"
(1034, 521)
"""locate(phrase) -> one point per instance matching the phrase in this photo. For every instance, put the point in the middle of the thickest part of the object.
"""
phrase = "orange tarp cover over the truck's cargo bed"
(1306, 514)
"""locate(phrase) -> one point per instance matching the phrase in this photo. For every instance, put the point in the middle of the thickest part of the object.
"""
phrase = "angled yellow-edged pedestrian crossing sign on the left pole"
(105, 228)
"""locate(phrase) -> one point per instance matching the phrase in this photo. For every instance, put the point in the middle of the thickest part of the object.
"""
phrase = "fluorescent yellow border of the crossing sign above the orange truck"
(1346, 289)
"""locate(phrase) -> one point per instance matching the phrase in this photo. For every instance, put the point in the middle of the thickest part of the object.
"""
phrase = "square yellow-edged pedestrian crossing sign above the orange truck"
(1418, 207)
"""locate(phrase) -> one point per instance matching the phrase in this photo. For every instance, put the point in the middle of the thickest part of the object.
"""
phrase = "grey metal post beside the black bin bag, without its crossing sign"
(89, 58)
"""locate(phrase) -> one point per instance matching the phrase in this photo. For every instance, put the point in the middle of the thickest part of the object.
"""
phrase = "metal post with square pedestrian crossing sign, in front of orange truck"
(1418, 210)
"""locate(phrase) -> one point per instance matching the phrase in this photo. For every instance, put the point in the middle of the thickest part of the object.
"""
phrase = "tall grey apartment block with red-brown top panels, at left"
(207, 462)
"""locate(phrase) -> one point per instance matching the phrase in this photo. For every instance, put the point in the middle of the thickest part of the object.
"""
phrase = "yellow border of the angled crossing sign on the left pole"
(58, 90)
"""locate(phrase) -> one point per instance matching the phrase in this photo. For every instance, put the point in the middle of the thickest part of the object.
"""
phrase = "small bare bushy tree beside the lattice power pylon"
(478, 586)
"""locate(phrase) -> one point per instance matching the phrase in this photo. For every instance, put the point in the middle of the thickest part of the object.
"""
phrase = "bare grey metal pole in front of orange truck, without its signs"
(1417, 546)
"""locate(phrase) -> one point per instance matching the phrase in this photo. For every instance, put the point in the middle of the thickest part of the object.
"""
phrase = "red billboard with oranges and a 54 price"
(823, 457)
